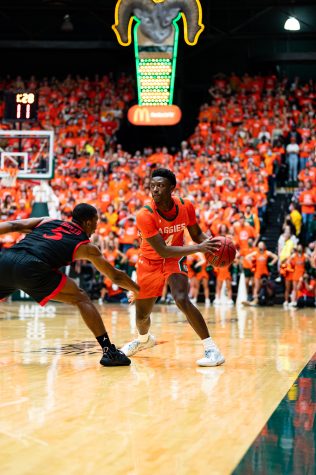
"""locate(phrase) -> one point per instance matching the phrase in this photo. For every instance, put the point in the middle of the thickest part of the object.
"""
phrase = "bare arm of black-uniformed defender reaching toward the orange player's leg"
(93, 254)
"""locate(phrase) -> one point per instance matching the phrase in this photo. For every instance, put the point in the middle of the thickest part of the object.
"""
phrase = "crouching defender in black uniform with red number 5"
(50, 244)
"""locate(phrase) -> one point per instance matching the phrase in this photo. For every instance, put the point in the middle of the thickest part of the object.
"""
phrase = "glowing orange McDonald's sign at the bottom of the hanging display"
(154, 115)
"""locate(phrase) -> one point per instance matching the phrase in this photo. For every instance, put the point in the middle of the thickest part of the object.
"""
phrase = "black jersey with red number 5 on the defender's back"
(53, 242)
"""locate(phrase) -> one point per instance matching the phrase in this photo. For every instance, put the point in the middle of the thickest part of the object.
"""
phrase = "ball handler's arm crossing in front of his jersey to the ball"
(159, 245)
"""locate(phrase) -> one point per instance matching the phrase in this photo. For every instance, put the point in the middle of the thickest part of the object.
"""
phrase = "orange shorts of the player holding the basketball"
(152, 274)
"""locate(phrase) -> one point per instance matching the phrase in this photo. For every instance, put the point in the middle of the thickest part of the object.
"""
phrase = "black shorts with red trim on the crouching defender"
(21, 271)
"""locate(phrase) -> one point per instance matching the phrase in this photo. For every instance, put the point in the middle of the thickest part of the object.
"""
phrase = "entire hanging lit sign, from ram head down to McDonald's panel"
(154, 27)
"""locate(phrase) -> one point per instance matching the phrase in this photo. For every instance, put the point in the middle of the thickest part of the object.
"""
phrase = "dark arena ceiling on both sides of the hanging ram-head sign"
(38, 23)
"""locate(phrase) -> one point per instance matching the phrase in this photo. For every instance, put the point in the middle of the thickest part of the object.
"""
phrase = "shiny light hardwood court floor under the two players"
(62, 413)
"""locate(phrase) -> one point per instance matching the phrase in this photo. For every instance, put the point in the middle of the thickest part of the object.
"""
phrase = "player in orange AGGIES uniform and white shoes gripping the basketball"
(162, 259)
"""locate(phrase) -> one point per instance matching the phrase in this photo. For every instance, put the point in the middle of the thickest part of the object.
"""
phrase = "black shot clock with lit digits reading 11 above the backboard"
(20, 106)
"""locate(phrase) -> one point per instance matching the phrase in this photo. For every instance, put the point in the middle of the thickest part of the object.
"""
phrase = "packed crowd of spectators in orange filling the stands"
(254, 134)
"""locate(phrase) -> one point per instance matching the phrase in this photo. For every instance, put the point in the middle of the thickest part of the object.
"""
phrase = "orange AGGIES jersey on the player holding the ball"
(150, 222)
